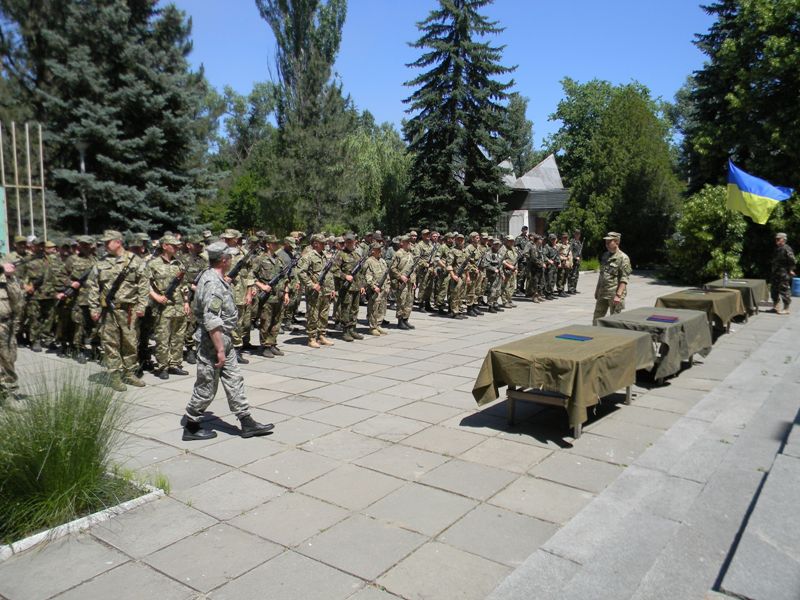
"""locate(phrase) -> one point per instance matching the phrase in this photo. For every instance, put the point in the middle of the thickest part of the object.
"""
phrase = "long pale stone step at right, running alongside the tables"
(665, 527)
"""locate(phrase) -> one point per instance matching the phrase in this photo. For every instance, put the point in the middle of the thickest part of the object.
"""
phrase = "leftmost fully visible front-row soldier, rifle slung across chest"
(118, 322)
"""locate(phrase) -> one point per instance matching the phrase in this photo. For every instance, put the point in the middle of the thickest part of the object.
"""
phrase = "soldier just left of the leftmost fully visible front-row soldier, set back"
(80, 267)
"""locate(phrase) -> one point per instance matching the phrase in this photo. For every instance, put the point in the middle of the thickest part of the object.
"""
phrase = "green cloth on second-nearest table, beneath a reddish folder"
(679, 340)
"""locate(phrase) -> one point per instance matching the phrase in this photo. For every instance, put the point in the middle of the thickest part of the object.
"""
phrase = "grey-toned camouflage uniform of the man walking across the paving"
(214, 307)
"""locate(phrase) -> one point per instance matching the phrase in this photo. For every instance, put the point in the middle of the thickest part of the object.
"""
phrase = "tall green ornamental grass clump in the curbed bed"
(55, 449)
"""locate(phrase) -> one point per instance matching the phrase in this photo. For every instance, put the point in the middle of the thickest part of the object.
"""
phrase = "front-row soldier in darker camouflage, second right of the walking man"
(270, 311)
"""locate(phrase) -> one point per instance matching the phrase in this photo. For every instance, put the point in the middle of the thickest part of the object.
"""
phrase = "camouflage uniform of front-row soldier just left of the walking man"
(169, 319)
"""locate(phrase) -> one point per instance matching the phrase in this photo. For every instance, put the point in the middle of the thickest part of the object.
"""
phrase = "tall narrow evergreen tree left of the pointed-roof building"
(458, 118)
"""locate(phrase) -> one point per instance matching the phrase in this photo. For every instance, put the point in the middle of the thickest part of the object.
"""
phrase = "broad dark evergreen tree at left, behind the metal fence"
(113, 75)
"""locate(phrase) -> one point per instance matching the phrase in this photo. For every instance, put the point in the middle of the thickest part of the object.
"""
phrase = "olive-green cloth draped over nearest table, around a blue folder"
(582, 371)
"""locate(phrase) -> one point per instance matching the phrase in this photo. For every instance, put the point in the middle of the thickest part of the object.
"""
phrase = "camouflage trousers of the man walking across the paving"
(208, 378)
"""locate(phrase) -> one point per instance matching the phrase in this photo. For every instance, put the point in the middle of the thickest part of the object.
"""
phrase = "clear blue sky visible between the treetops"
(617, 40)
